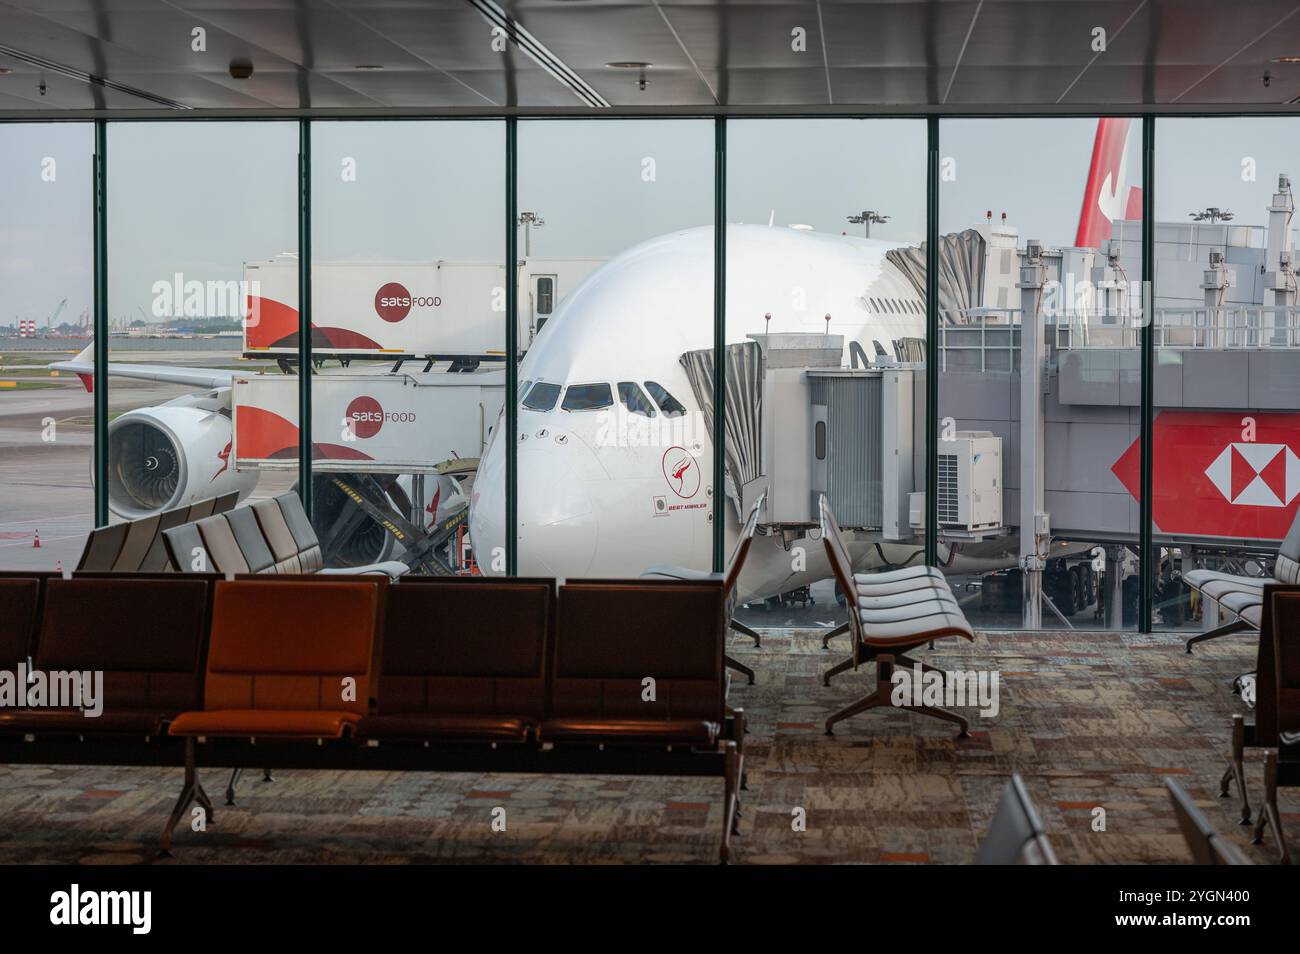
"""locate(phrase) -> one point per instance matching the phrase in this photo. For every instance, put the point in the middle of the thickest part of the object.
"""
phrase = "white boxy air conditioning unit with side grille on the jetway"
(970, 483)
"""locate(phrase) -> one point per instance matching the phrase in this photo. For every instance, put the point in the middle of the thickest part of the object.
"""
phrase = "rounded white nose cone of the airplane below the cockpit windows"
(557, 522)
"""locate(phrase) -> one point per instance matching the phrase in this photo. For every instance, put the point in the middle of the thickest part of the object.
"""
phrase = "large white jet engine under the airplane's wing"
(172, 456)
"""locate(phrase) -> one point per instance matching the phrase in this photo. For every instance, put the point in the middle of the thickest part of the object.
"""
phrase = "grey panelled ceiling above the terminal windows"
(440, 54)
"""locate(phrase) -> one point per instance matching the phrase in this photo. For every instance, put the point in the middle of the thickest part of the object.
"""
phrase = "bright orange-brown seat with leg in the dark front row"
(288, 661)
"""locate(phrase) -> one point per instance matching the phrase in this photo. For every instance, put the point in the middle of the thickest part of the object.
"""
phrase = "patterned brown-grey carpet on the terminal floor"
(1087, 719)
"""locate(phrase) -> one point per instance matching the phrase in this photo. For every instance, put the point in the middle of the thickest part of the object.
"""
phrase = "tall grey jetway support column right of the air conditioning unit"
(1034, 521)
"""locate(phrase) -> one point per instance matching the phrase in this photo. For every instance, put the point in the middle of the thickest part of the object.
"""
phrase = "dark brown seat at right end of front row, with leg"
(614, 635)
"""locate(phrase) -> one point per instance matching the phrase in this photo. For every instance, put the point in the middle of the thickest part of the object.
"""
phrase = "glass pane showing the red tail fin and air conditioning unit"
(1038, 514)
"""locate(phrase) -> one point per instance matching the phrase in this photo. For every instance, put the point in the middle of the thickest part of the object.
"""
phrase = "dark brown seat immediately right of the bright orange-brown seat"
(463, 661)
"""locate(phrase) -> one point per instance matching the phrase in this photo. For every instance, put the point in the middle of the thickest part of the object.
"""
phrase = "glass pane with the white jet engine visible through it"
(202, 232)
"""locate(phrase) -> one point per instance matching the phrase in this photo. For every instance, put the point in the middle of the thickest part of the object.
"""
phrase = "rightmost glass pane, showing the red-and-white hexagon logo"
(1227, 433)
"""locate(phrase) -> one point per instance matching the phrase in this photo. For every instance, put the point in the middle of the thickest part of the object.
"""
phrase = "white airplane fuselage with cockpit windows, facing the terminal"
(608, 492)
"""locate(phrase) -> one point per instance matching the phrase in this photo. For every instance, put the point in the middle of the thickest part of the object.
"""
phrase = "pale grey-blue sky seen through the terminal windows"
(203, 198)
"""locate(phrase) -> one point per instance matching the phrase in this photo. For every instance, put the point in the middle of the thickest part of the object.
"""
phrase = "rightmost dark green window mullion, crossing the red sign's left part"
(1147, 562)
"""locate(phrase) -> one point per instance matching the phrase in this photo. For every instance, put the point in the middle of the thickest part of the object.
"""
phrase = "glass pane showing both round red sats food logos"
(410, 339)
